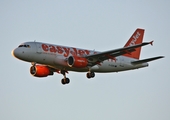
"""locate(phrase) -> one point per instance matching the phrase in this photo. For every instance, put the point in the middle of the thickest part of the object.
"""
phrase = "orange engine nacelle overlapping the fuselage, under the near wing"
(77, 62)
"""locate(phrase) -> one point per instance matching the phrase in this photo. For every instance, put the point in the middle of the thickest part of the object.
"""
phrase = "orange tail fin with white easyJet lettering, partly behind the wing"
(136, 38)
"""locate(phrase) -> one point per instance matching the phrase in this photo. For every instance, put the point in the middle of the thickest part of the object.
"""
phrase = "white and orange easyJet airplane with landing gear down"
(47, 59)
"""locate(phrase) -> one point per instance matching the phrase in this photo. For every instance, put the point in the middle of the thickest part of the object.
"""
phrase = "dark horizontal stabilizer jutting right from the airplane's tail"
(146, 60)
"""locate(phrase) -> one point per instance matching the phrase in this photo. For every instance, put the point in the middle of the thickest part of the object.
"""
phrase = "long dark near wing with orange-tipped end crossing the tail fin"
(111, 54)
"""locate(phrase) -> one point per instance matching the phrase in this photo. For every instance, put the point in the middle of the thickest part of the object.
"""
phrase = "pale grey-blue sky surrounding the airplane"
(142, 94)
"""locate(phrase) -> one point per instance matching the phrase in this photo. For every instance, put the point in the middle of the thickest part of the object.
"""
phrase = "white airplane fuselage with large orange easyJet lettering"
(56, 56)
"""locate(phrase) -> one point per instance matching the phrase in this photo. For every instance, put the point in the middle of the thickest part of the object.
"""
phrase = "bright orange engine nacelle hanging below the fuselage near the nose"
(40, 71)
